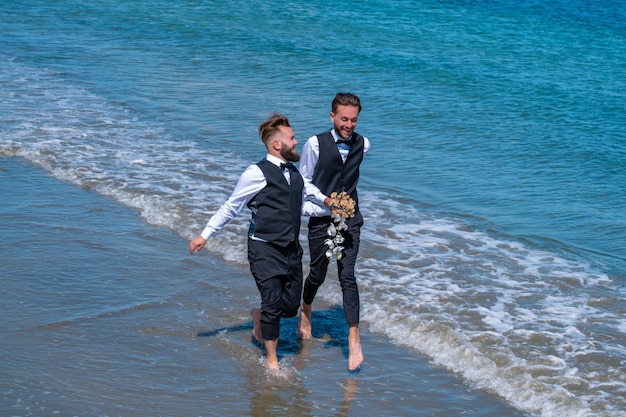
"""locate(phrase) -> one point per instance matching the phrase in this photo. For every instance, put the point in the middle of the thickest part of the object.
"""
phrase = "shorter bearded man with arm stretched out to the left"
(273, 191)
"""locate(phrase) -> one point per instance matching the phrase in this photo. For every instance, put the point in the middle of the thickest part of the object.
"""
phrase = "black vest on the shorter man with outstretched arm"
(276, 208)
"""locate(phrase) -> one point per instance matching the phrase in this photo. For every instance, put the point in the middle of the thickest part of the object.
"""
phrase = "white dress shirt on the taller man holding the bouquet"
(313, 203)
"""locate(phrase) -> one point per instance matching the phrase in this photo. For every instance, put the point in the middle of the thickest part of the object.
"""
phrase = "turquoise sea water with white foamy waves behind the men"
(493, 196)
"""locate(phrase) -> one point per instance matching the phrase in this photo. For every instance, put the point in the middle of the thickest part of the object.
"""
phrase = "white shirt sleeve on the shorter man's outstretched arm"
(250, 183)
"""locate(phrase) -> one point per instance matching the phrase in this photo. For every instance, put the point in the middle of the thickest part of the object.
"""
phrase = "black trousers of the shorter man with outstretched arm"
(277, 272)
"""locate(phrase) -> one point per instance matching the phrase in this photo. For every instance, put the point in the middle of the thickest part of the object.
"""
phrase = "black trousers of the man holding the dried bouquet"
(345, 267)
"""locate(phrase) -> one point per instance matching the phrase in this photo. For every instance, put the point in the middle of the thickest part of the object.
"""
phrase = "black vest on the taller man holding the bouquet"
(331, 173)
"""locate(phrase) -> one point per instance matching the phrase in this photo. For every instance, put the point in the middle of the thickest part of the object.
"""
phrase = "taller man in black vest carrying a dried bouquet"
(331, 163)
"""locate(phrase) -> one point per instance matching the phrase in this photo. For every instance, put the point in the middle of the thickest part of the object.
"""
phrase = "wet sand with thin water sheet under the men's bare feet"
(105, 315)
